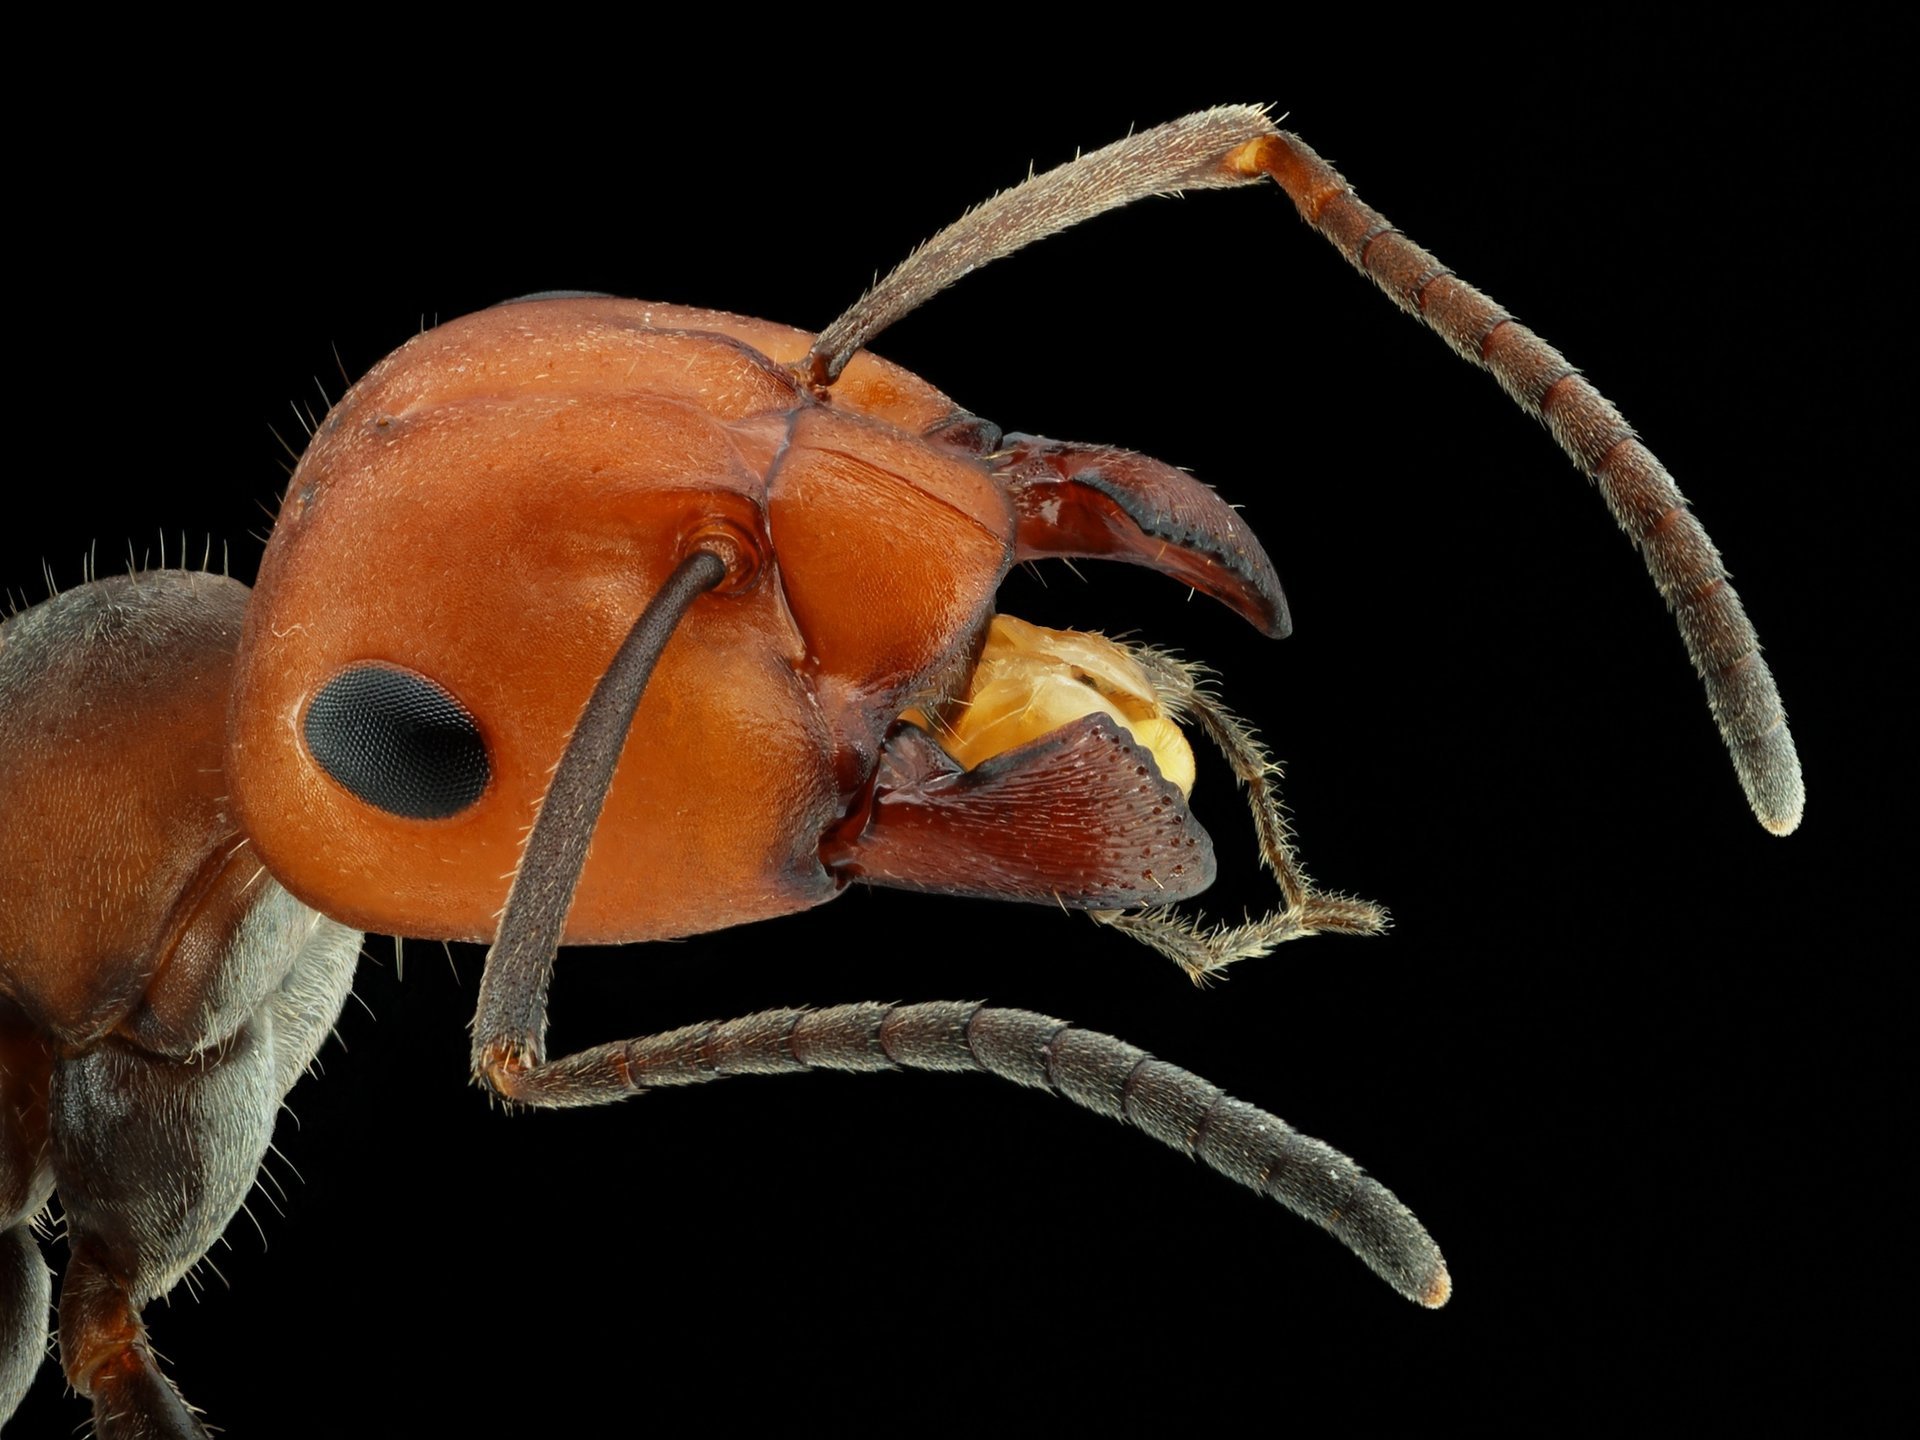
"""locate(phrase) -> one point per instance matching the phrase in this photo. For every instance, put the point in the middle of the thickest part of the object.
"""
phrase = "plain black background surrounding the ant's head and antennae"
(1629, 1057)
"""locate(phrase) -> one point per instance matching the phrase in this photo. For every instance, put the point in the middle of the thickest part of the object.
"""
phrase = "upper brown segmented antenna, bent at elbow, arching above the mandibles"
(1637, 487)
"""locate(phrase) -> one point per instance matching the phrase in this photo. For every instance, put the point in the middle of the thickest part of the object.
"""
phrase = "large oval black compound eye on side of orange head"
(398, 742)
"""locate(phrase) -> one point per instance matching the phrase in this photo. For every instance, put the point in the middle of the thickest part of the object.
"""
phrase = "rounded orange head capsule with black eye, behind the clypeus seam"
(466, 544)
